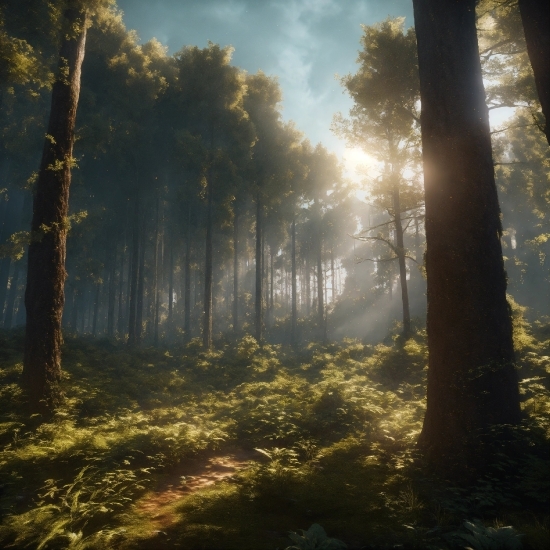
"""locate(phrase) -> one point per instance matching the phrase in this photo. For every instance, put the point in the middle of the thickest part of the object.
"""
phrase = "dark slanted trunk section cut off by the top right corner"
(535, 15)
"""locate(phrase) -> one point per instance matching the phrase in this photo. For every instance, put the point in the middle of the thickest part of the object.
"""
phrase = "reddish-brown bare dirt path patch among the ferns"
(190, 476)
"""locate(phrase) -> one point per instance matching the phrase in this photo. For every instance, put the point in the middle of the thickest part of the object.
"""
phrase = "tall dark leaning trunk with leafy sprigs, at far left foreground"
(44, 296)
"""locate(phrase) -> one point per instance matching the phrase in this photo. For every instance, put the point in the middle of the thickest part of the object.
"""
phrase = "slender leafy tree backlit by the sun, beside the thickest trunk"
(383, 122)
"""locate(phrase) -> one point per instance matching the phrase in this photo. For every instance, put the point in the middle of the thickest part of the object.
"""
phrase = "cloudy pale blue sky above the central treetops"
(305, 43)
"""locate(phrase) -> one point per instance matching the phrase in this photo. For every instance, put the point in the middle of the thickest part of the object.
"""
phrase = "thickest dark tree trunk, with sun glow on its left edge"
(472, 381)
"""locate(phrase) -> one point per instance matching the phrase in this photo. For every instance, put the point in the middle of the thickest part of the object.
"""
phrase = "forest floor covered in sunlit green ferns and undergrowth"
(234, 448)
